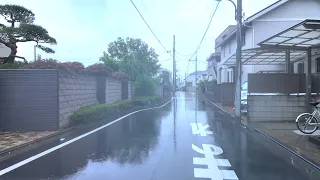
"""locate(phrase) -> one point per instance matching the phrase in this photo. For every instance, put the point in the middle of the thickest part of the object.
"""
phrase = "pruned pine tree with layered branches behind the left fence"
(18, 27)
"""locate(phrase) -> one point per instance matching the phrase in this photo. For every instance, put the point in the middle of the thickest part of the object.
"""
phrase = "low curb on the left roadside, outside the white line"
(2, 153)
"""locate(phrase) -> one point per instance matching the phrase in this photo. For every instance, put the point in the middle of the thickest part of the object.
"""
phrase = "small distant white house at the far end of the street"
(194, 78)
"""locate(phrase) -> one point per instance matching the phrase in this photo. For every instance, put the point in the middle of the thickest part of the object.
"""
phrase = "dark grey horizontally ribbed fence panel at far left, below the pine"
(29, 100)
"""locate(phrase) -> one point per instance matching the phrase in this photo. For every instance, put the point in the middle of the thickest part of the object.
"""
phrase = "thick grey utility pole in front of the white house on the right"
(238, 59)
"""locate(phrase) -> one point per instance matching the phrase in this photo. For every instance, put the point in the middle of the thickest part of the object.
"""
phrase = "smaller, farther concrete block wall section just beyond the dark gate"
(113, 90)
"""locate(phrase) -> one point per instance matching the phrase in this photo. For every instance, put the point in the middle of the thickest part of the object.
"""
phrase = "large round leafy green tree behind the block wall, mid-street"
(133, 56)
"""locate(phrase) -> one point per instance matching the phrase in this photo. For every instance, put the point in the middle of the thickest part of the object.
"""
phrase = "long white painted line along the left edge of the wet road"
(30, 159)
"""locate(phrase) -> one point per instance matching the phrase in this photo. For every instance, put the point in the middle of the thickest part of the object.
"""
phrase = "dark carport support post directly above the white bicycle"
(308, 81)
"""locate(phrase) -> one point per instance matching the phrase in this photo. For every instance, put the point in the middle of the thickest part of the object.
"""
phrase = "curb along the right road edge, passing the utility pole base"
(267, 136)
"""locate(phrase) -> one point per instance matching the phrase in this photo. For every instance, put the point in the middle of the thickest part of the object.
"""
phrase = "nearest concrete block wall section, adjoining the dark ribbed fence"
(75, 91)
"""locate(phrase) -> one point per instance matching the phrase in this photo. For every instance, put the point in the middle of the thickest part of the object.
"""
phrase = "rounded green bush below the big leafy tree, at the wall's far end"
(145, 86)
